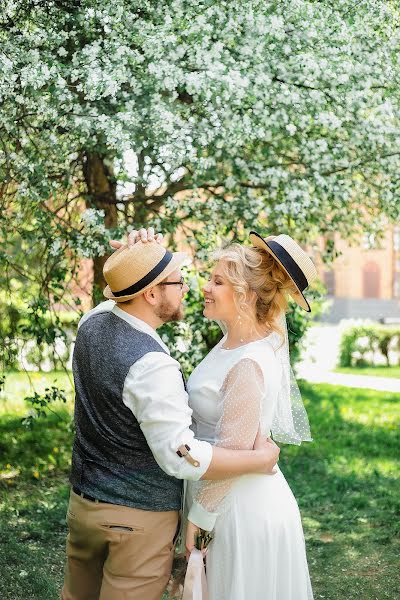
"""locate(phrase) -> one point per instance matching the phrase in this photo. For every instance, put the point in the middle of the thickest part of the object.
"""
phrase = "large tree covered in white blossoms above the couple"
(206, 117)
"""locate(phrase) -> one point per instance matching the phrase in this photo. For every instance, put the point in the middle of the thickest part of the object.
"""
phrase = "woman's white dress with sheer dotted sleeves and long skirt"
(258, 550)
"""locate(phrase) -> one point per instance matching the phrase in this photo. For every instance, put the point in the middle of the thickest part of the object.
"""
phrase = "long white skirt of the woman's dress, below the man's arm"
(258, 551)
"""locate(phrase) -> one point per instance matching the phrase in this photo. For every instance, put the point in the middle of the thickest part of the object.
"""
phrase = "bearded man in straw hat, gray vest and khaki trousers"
(133, 443)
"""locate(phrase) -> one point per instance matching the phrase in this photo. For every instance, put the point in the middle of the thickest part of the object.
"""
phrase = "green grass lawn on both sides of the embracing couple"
(346, 483)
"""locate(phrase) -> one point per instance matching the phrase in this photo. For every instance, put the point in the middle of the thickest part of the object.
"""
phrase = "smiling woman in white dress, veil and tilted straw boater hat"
(243, 384)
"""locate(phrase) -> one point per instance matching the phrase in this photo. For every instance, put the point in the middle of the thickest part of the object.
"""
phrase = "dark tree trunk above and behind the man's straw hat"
(102, 195)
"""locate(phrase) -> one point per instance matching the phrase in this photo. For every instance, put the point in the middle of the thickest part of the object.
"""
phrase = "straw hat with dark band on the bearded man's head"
(131, 270)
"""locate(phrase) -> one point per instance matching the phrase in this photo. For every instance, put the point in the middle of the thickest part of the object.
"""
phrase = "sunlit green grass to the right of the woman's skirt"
(348, 488)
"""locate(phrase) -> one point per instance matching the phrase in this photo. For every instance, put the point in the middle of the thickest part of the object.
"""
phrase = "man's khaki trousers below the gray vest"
(117, 552)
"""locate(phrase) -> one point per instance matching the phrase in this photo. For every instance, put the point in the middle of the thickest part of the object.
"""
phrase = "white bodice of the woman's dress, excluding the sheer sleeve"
(206, 381)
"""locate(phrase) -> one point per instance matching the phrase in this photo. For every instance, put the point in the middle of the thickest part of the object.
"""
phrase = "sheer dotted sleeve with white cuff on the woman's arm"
(241, 395)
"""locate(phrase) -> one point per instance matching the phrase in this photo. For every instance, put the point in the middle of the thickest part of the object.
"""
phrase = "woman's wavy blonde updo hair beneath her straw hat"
(254, 270)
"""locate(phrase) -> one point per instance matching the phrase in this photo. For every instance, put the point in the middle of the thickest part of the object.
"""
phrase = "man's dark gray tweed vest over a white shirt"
(111, 459)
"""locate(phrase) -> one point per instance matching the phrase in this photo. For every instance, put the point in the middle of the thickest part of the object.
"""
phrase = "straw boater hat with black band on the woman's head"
(293, 259)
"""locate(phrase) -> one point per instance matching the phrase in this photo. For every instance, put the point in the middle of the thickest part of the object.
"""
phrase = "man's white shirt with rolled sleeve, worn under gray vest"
(155, 393)
